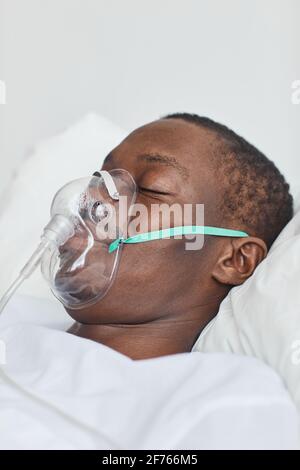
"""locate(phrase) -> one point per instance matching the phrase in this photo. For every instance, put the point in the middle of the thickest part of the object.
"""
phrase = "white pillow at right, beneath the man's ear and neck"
(262, 317)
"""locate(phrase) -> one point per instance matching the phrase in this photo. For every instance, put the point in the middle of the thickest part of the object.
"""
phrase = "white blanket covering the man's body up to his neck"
(58, 391)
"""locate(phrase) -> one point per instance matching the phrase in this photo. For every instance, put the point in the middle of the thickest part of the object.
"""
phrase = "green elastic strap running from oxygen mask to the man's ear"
(171, 232)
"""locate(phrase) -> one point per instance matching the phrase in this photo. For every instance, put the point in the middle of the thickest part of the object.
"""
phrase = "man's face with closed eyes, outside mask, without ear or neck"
(170, 161)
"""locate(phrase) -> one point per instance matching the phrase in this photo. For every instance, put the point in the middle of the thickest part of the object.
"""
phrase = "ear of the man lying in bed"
(238, 260)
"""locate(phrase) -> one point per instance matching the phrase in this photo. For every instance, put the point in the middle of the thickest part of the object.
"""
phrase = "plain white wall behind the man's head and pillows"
(133, 60)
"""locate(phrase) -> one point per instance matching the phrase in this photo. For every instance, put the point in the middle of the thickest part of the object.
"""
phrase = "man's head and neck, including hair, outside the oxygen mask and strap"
(164, 295)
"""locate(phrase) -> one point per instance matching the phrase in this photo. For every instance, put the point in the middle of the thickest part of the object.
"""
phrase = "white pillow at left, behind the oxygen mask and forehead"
(25, 208)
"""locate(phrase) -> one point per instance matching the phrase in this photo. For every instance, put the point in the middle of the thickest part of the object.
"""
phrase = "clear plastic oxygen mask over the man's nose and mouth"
(79, 268)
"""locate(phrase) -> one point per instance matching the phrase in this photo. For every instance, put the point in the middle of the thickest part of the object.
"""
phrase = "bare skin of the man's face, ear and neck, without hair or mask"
(163, 295)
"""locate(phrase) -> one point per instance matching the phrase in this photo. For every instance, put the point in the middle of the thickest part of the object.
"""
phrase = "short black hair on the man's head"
(256, 195)
